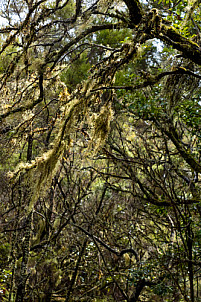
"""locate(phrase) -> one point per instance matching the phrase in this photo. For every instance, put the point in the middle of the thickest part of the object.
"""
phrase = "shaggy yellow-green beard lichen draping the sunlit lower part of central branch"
(40, 171)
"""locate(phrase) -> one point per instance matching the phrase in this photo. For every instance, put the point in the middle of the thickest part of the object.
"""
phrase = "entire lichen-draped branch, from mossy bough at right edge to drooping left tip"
(41, 170)
